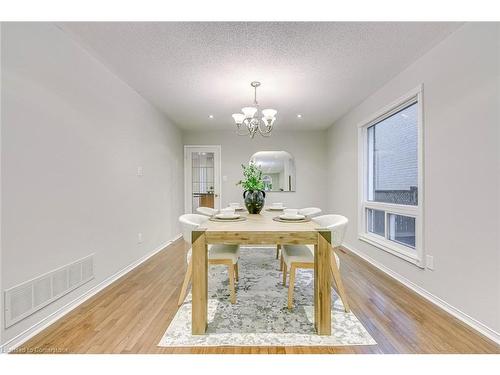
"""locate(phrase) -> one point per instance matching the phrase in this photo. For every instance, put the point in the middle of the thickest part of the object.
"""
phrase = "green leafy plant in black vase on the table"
(253, 183)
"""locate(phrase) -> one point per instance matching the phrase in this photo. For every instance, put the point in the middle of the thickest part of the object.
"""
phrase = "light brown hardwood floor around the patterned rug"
(131, 315)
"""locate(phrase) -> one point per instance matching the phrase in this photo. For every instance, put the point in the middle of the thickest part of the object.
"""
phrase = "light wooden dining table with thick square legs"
(257, 230)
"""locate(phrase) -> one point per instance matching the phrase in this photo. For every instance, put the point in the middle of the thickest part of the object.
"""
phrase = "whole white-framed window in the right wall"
(391, 179)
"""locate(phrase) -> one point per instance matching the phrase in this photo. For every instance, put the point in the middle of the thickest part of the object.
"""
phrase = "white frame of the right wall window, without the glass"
(415, 256)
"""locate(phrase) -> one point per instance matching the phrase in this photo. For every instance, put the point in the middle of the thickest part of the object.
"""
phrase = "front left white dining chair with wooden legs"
(217, 254)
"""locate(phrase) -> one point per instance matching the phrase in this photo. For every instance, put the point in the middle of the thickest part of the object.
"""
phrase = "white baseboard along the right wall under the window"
(460, 315)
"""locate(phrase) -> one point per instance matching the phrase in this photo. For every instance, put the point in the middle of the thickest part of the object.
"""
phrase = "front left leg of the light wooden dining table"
(200, 283)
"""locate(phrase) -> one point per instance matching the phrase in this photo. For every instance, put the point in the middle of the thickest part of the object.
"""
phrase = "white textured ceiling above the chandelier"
(195, 69)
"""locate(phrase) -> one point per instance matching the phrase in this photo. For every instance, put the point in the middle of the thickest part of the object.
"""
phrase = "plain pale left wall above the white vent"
(73, 135)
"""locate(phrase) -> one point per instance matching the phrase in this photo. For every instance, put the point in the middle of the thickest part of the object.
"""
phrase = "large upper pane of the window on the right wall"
(392, 158)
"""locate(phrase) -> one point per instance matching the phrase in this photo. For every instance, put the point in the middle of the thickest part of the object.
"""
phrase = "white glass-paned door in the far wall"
(202, 177)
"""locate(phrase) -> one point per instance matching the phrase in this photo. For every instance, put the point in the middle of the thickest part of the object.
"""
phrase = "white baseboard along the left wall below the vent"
(59, 313)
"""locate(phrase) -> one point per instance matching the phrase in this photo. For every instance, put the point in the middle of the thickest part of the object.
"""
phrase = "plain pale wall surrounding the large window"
(461, 113)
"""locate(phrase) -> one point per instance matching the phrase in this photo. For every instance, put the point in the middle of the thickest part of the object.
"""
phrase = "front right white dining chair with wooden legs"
(302, 256)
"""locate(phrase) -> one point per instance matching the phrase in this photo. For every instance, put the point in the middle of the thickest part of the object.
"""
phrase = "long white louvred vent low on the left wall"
(24, 299)
